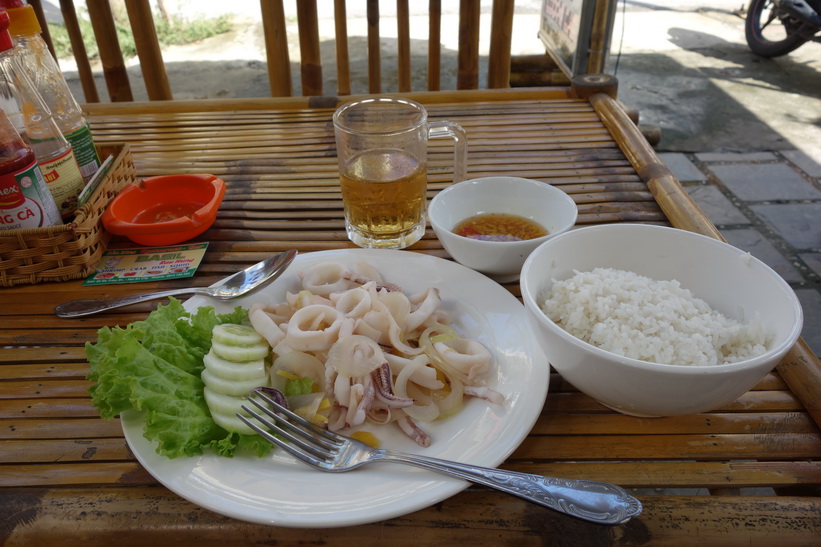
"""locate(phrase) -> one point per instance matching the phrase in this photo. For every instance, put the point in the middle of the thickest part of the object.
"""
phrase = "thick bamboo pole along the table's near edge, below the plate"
(468, 518)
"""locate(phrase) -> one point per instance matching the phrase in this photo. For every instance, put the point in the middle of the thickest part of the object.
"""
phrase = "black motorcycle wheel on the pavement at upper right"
(769, 32)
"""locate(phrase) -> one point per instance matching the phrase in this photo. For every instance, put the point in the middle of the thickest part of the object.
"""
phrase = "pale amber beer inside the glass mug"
(384, 196)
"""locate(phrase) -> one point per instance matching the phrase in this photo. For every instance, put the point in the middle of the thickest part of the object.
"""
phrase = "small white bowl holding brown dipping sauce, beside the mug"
(532, 199)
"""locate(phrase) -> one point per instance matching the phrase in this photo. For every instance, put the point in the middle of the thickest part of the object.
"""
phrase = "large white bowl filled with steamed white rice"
(632, 375)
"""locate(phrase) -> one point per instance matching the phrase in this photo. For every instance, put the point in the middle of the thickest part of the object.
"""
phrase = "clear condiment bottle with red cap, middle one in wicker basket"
(32, 119)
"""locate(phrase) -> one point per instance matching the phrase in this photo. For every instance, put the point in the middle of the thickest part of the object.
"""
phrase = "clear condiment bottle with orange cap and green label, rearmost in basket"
(41, 67)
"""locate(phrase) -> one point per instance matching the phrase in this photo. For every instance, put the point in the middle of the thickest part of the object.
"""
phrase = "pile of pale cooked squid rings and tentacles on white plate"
(371, 353)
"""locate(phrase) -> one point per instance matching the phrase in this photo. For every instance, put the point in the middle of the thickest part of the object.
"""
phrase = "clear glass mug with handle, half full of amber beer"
(381, 145)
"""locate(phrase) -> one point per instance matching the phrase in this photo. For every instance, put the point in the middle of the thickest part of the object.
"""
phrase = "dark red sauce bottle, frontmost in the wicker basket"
(25, 201)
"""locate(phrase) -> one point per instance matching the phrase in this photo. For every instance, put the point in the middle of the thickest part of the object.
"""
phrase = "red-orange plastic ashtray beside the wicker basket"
(165, 210)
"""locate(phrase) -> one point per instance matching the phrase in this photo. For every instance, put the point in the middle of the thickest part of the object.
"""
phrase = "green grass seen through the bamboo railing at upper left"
(172, 31)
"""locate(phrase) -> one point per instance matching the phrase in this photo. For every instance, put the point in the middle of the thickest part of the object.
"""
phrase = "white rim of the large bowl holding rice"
(687, 370)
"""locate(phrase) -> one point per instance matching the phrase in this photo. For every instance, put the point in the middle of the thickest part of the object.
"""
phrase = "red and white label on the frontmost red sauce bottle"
(25, 201)
